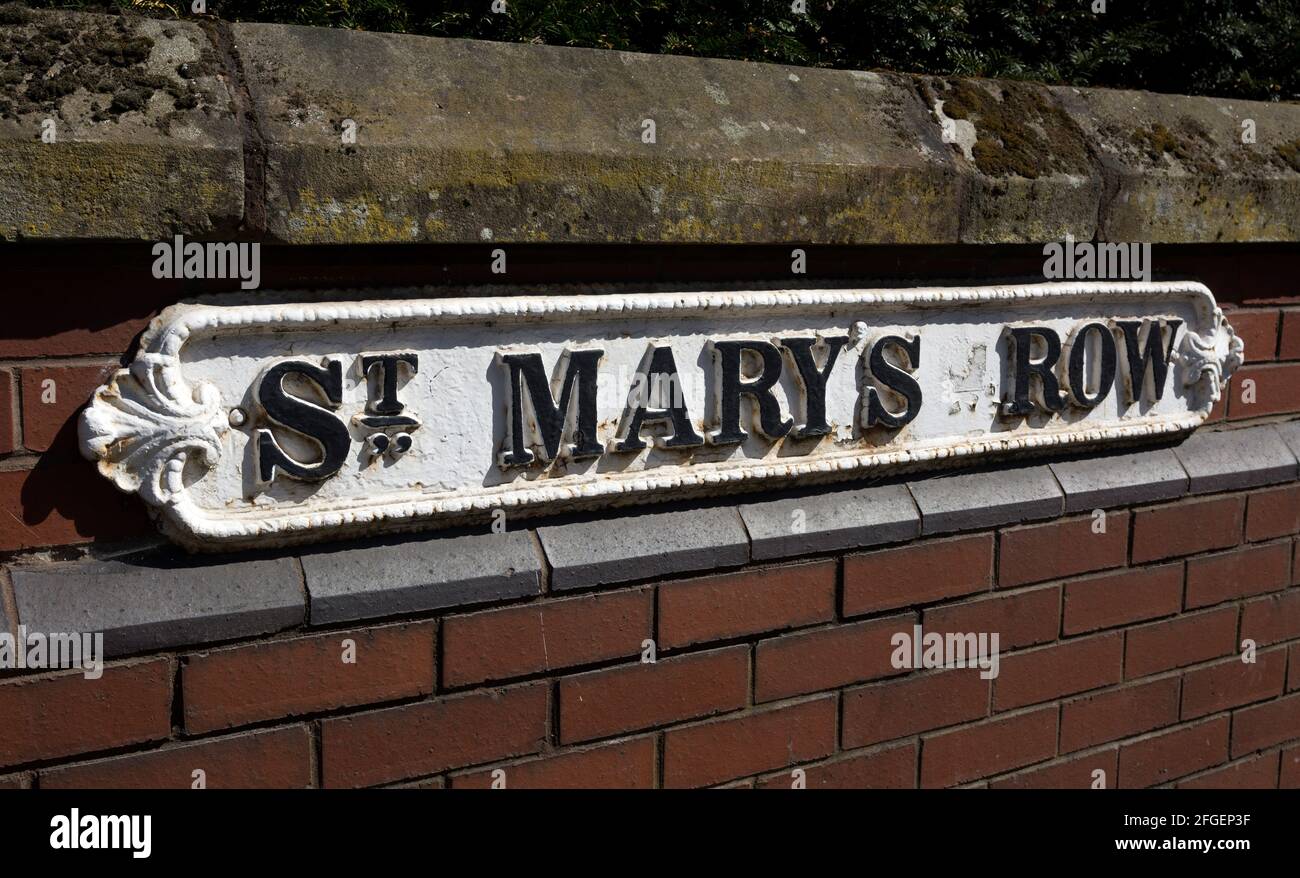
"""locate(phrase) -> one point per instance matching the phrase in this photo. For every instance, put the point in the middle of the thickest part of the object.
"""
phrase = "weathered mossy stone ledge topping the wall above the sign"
(220, 129)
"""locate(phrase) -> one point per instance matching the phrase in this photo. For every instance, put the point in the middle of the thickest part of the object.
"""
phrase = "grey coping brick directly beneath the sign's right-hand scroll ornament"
(1236, 460)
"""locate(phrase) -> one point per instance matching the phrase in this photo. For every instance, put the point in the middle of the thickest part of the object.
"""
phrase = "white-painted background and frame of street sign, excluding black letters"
(176, 427)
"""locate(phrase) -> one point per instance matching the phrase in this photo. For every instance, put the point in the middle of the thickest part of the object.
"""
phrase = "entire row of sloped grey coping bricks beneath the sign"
(145, 608)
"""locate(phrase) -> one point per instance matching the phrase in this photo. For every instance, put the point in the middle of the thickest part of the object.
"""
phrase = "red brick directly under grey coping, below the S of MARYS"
(918, 574)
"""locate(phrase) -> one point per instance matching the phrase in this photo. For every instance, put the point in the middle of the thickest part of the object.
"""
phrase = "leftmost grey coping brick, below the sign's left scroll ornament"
(145, 609)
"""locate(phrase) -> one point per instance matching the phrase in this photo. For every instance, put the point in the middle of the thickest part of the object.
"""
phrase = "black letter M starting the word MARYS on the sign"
(575, 378)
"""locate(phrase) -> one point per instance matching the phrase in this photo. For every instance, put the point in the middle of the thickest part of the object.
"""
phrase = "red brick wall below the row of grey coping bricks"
(1124, 659)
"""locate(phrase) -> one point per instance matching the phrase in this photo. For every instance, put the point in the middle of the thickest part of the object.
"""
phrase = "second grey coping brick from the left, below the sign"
(350, 585)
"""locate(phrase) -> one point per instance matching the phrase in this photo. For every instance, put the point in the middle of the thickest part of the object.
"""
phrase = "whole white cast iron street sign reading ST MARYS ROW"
(283, 423)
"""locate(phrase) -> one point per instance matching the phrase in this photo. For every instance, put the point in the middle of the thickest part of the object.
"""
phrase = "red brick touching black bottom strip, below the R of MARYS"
(761, 741)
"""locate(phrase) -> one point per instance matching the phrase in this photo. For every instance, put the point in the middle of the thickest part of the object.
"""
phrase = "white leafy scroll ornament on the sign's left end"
(148, 423)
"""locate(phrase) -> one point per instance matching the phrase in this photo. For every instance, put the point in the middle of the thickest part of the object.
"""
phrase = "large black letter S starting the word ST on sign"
(310, 421)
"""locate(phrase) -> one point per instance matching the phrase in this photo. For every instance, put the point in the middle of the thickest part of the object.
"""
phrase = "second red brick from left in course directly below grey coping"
(302, 676)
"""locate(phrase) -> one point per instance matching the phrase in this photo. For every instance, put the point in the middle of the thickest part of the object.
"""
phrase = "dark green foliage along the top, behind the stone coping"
(1241, 49)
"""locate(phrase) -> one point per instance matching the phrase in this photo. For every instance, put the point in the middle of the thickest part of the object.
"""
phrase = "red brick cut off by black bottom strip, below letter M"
(622, 765)
